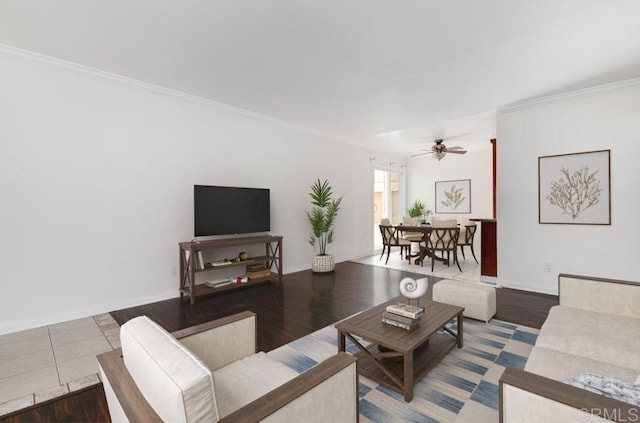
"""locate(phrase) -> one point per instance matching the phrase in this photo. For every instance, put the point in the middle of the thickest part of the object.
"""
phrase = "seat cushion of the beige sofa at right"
(598, 336)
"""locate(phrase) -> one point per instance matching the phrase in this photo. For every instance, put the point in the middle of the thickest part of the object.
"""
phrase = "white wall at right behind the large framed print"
(593, 120)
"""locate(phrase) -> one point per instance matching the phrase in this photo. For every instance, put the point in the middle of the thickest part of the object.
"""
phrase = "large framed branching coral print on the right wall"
(575, 188)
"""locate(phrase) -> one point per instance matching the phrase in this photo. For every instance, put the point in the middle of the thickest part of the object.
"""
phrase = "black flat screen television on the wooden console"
(230, 210)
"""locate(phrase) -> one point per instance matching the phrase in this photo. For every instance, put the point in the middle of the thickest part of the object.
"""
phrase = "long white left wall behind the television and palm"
(96, 181)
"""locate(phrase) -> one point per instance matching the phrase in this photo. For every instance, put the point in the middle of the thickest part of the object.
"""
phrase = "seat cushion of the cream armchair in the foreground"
(248, 379)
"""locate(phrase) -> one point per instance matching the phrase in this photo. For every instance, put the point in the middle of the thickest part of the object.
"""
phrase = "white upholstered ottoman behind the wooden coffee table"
(478, 300)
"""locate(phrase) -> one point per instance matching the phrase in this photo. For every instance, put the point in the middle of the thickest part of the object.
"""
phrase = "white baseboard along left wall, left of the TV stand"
(79, 313)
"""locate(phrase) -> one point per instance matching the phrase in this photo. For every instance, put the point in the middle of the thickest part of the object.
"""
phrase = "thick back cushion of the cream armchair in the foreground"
(177, 385)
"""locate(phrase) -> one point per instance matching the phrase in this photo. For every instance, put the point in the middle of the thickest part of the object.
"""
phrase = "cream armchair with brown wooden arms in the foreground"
(211, 372)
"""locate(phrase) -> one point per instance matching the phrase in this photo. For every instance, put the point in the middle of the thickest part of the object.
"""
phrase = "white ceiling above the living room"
(391, 75)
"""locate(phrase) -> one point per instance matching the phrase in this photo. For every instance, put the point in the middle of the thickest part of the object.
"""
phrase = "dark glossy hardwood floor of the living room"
(302, 303)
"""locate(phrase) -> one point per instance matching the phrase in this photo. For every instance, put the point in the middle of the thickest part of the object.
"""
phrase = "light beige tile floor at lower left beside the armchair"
(43, 363)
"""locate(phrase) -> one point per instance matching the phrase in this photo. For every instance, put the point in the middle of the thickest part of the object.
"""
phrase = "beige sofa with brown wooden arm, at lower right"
(595, 328)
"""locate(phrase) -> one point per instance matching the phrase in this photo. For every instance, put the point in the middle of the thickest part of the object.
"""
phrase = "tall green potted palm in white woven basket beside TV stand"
(321, 219)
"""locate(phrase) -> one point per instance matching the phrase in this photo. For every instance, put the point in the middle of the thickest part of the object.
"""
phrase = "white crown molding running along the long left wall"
(82, 70)
